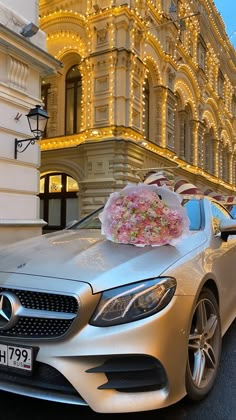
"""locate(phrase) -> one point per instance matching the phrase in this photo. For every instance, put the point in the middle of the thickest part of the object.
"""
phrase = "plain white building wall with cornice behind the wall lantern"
(23, 62)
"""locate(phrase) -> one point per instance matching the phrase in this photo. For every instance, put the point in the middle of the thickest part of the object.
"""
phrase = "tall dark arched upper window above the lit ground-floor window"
(73, 101)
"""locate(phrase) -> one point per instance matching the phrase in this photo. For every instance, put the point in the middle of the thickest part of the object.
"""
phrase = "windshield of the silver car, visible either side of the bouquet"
(192, 206)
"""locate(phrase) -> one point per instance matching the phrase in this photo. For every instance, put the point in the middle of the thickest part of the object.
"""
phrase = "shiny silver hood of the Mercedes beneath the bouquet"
(85, 256)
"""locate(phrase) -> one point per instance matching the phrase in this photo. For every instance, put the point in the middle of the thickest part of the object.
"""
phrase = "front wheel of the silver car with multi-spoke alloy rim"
(204, 346)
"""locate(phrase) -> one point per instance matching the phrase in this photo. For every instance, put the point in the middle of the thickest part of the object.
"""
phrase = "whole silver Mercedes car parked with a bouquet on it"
(117, 327)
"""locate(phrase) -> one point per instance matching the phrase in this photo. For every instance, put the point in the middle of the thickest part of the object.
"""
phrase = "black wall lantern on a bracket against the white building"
(37, 119)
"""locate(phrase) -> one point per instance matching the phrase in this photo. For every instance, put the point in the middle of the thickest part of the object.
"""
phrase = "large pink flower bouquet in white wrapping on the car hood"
(144, 215)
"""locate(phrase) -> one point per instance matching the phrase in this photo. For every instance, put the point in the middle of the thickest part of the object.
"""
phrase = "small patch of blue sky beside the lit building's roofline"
(227, 10)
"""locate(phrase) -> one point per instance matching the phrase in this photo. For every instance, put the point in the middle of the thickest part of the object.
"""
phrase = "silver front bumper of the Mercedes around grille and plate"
(131, 367)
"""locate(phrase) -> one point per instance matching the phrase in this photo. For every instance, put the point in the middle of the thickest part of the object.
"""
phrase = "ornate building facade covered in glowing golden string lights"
(144, 84)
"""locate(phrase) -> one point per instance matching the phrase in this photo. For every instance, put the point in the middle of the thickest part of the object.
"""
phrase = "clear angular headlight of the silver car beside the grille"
(133, 302)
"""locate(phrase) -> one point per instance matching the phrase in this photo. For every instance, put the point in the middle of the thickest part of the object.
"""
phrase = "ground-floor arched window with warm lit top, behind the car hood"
(58, 200)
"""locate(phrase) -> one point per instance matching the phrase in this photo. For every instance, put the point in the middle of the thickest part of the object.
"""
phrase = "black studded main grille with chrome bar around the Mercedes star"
(43, 315)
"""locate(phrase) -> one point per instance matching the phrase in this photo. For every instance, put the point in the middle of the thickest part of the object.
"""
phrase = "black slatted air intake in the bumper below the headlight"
(132, 373)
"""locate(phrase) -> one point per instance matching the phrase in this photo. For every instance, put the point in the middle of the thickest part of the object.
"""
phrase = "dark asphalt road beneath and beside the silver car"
(220, 404)
